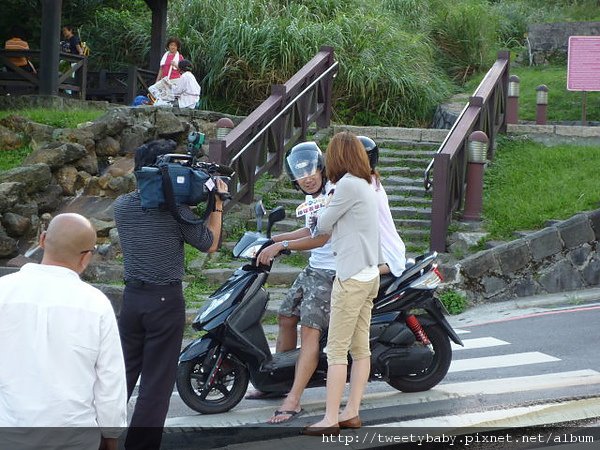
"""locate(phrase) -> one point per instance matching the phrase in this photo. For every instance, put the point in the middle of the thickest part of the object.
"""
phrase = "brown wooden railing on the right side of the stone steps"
(486, 111)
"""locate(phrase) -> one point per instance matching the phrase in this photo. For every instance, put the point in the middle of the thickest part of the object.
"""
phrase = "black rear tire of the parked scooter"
(436, 371)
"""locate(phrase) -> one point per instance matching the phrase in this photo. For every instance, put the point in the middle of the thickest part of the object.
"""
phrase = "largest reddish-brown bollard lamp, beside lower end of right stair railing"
(477, 147)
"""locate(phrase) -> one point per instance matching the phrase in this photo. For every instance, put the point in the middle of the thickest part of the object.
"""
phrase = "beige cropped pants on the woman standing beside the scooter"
(350, 319)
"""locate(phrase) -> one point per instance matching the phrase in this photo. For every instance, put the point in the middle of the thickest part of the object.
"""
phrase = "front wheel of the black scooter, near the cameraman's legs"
(211, 389)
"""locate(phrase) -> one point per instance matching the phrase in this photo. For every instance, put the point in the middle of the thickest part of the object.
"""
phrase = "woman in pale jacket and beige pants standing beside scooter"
(351, 218)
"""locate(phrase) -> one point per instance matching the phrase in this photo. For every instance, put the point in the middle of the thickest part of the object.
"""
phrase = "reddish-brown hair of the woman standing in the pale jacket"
(346, 154)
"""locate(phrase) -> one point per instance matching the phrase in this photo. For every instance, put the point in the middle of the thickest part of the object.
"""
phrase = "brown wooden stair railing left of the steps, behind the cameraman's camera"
(258, 144)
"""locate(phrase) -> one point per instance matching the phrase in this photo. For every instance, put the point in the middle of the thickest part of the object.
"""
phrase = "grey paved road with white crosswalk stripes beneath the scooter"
(521, 366)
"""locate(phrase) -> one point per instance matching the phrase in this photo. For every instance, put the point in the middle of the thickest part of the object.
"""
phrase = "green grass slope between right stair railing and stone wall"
(529, 183)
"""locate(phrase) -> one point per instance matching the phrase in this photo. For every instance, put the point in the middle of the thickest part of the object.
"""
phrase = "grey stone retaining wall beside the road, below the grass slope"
(561, 257)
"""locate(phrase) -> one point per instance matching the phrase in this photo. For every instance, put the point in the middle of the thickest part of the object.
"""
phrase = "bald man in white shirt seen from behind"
(62, 363)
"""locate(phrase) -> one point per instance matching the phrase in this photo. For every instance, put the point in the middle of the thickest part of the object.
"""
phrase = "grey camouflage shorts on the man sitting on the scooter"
(310, 298)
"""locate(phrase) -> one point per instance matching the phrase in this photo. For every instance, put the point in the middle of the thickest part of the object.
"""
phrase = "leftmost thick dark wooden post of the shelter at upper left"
(51, 12)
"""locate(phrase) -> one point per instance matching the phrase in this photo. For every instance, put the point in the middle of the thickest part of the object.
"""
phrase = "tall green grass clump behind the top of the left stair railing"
(387, 76)
